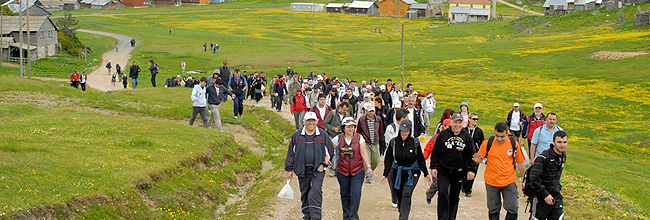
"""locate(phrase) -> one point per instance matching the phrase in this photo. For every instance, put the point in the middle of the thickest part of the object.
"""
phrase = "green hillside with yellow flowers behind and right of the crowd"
(490, 65)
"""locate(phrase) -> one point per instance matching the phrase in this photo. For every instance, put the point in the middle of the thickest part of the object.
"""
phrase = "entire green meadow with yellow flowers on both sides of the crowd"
(602, 104)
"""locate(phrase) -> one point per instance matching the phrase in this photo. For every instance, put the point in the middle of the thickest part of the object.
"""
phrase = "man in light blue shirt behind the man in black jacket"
(543, 136)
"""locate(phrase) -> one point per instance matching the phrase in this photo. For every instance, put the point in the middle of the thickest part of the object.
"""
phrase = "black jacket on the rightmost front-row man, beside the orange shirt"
(546, 172)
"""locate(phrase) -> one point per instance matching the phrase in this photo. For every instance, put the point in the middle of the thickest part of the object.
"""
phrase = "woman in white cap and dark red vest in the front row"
(353, 161)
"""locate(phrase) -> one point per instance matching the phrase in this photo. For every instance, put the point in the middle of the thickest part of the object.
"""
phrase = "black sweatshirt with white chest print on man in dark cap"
(452, 154)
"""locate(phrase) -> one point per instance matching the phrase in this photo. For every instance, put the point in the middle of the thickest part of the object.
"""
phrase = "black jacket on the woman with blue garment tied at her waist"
(406, 153)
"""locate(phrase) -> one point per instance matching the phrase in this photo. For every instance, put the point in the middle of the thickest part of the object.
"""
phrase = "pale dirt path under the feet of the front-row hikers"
(375, 198)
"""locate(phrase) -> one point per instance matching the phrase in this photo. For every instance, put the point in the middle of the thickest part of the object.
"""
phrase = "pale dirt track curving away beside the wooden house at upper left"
(99, 78)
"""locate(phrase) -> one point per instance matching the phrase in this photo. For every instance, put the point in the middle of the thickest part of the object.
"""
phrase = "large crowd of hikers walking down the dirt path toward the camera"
(343, 129)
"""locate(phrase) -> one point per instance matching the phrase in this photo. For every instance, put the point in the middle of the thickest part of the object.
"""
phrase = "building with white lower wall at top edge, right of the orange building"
(461, 11)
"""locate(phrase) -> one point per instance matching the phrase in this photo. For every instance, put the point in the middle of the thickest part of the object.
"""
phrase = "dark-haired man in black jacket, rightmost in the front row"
(545, 177)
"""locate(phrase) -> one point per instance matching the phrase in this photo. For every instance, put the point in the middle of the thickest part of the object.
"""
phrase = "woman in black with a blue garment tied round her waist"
(405, 162)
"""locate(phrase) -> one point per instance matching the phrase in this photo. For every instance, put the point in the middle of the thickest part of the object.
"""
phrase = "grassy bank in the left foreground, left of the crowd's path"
(69, 154)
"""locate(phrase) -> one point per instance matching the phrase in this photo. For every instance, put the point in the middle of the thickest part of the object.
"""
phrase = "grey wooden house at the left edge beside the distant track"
(44, 38)
